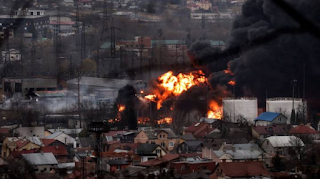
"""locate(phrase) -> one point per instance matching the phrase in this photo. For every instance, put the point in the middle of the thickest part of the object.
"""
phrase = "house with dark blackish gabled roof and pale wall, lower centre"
(150, 151)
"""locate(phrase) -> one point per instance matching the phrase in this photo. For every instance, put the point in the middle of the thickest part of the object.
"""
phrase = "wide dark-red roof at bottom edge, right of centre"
(243, 169)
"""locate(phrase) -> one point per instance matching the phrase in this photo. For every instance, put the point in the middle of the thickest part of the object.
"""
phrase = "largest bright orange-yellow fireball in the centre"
(175, 85)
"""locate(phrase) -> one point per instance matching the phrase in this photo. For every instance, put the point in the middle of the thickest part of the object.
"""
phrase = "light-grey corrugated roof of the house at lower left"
(40, 158)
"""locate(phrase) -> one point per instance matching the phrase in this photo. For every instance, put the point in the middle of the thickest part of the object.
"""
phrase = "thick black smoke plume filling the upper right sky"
(267, 50)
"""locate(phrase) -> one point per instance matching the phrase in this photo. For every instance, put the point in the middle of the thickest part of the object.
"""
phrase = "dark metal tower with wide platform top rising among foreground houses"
(98, 128)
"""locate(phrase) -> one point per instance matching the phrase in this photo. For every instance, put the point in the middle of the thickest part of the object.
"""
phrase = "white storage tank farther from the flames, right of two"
(284, 105)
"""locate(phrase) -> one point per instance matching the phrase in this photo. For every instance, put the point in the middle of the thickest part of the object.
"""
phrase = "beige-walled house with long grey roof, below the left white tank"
(238, 153)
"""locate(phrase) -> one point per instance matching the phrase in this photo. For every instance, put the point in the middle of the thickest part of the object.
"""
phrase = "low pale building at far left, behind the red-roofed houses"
(29, 132)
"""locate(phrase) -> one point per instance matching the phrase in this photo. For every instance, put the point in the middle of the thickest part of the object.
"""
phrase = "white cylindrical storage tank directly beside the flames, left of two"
(235, 108)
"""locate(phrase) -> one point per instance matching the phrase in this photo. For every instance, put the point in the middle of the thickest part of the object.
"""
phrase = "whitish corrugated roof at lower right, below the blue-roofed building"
(284, 141)
